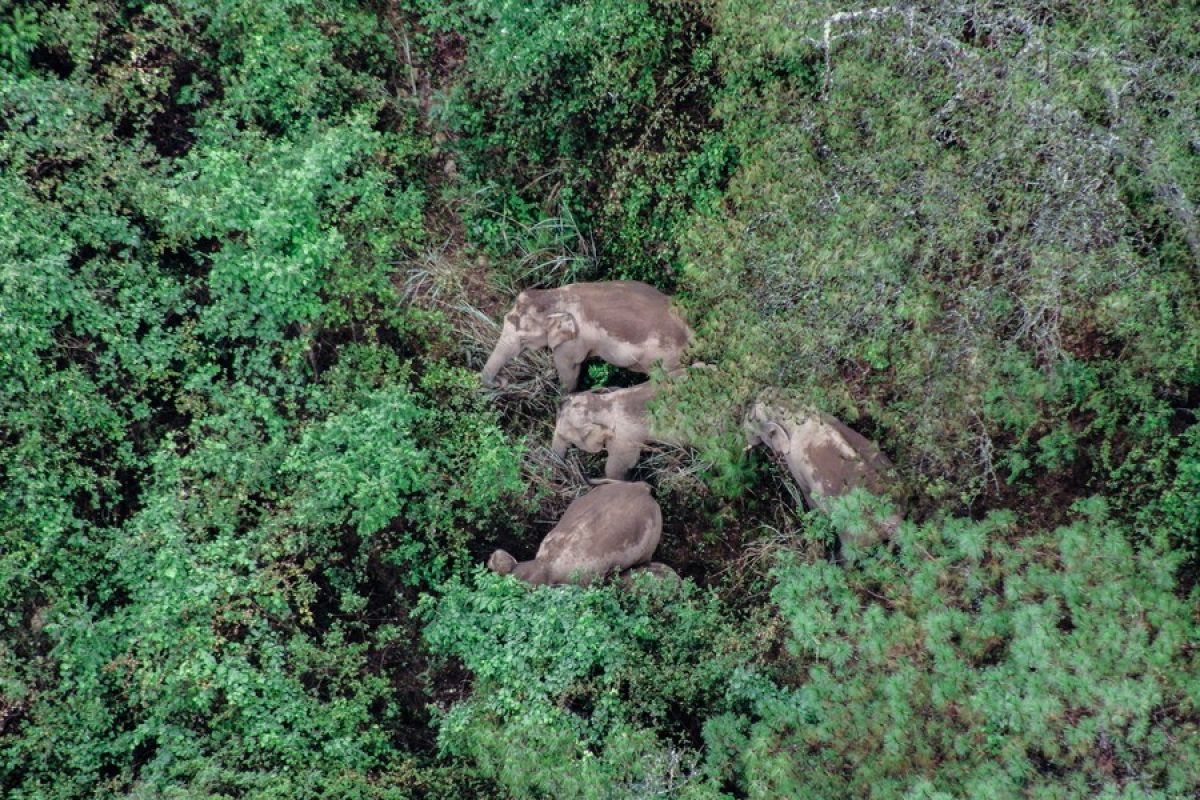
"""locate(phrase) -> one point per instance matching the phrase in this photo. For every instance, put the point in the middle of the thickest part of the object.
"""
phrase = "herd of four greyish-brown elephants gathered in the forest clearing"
(616, 527)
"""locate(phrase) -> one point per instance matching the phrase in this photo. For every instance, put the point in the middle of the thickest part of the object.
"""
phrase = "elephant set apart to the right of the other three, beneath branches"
(827, 460)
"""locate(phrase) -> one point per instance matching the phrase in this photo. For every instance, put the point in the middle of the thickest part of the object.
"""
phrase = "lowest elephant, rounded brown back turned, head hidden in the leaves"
(610, 530)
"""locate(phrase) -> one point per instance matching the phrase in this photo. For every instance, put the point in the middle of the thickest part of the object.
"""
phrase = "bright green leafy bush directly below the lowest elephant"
(585, 693)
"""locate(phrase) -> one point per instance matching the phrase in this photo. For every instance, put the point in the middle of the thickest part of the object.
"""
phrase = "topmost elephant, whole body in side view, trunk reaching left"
(627, 323)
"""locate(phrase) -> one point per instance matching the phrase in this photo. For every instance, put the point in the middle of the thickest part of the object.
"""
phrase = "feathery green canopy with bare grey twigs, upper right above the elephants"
(934, 225)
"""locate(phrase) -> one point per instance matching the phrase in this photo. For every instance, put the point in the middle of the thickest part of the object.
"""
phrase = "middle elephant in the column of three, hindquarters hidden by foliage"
(614, 420)
